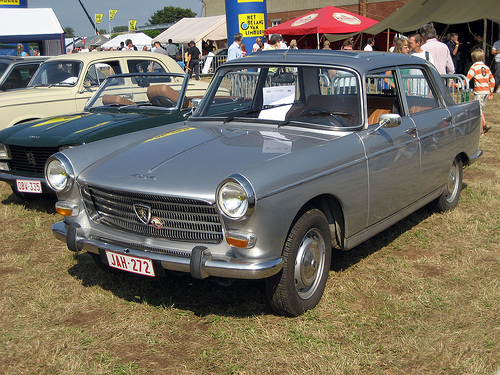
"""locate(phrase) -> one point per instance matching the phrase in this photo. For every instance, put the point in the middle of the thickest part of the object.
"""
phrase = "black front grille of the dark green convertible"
(30, 159)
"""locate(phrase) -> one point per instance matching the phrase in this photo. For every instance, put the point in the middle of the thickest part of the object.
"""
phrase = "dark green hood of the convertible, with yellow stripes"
(78, 128)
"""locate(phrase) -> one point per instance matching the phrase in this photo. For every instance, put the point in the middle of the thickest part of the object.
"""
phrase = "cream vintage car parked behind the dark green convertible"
(64, 83)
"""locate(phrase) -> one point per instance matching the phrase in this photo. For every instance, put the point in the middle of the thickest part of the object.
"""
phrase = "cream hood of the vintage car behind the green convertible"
(35, 94)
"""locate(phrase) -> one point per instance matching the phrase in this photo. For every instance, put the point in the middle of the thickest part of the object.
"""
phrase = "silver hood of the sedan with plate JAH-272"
(191, 161)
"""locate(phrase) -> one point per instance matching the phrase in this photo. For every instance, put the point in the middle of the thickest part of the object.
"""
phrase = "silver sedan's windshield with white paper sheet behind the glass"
(324, 96)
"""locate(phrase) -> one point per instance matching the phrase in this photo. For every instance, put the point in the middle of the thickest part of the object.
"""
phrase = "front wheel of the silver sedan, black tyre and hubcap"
(307, 255)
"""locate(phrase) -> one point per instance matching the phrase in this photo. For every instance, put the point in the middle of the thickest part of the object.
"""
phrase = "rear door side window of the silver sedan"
(419, 94)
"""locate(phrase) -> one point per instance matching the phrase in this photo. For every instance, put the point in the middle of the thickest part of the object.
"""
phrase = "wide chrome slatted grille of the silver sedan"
(185, 220)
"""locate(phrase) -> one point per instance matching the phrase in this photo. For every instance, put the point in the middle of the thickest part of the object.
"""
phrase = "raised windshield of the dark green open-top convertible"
(146, 90)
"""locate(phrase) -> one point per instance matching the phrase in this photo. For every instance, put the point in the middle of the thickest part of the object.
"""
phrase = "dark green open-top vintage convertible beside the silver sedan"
(124, 103)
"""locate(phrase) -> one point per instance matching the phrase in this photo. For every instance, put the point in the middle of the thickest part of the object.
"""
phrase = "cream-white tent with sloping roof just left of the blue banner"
(197, 29)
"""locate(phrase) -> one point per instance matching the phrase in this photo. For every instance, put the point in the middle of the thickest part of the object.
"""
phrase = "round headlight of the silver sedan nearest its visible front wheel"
(235, 197)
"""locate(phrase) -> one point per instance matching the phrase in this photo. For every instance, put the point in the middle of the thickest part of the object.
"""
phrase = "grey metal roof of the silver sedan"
(358, 60)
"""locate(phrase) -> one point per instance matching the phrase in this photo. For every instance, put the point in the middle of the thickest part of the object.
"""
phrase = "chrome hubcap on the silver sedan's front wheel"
(309, 263)
